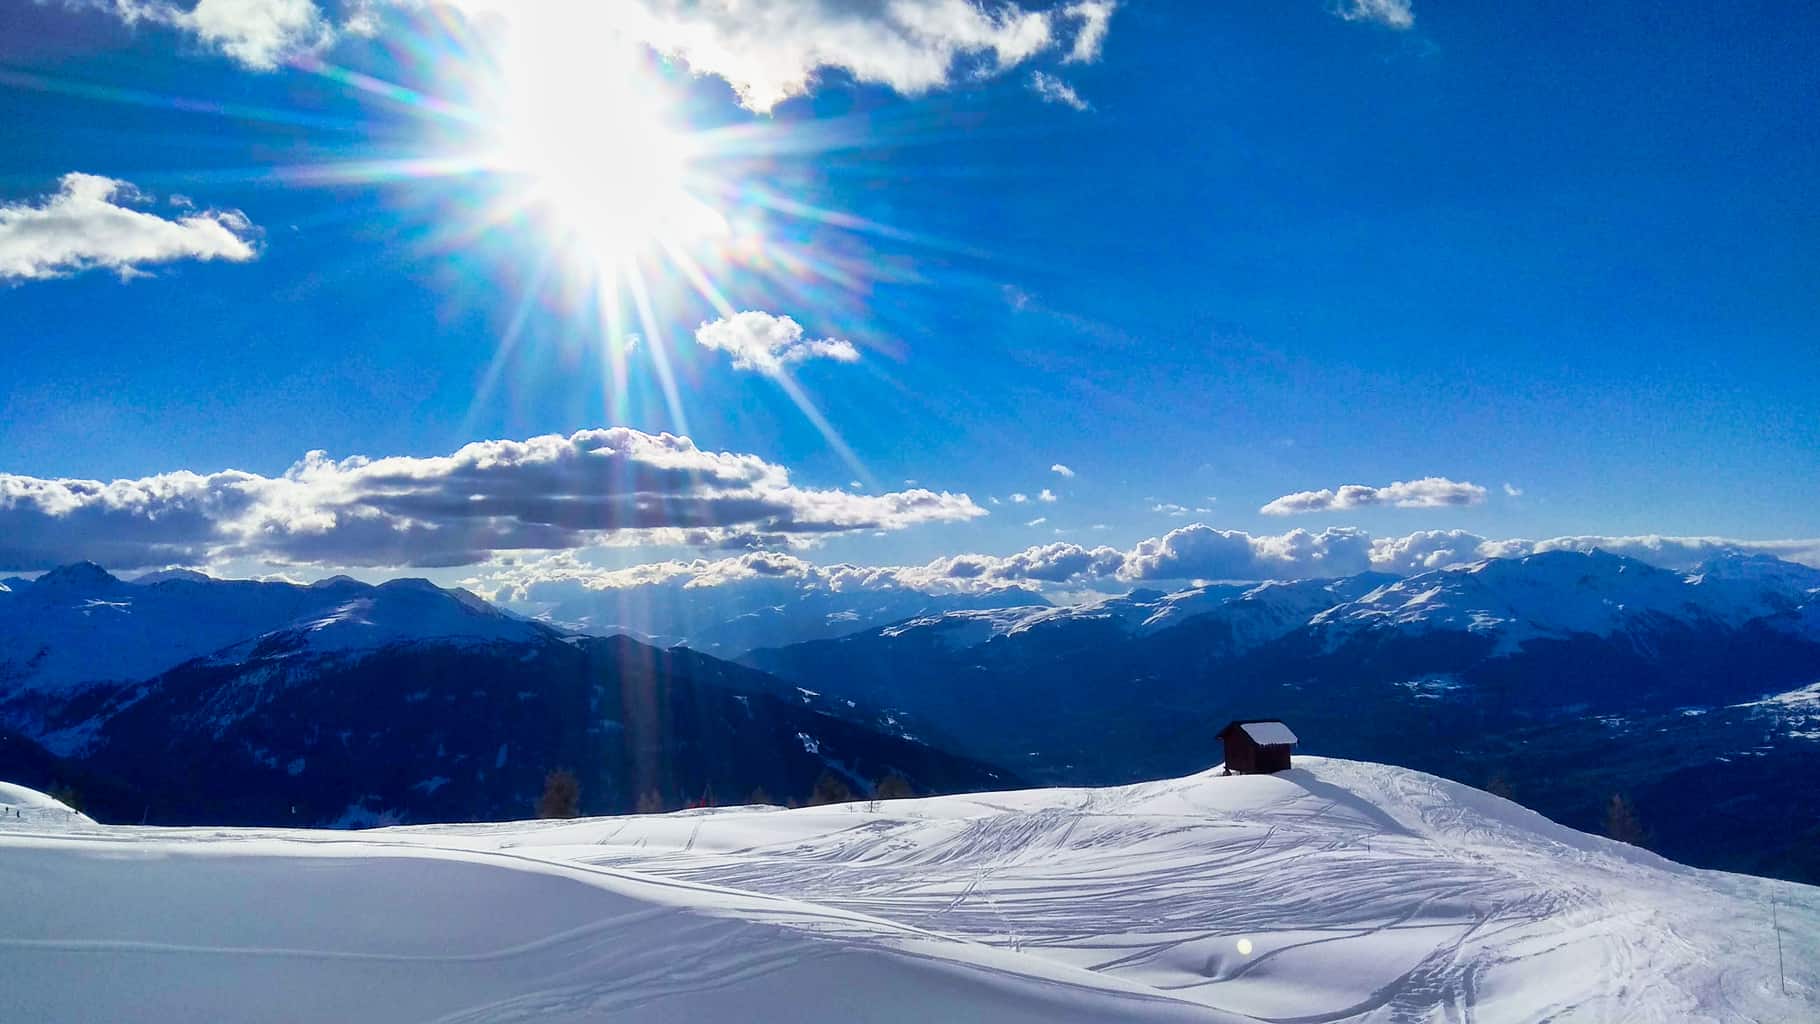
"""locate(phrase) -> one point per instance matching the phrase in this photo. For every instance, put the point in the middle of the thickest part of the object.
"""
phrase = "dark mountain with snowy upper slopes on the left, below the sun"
(212, 701)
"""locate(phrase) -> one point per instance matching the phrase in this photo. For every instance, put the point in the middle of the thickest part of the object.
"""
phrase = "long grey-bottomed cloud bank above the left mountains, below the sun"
(592, 488)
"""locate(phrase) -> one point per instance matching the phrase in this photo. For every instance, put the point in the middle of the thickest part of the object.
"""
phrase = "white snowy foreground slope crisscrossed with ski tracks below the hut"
(1333, 892)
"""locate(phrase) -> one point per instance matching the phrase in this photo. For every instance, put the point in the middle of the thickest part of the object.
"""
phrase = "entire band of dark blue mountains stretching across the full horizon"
(1562, 679)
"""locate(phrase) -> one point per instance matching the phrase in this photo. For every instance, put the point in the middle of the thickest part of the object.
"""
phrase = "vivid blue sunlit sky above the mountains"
(1564, 257)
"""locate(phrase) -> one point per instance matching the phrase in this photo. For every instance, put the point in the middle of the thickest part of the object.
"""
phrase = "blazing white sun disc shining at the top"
(598, 146)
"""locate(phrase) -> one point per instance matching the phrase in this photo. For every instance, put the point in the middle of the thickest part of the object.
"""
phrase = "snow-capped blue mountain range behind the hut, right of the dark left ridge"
(1562, 678)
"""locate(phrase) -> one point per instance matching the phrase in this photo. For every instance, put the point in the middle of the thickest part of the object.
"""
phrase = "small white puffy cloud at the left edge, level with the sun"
(90, 223)
